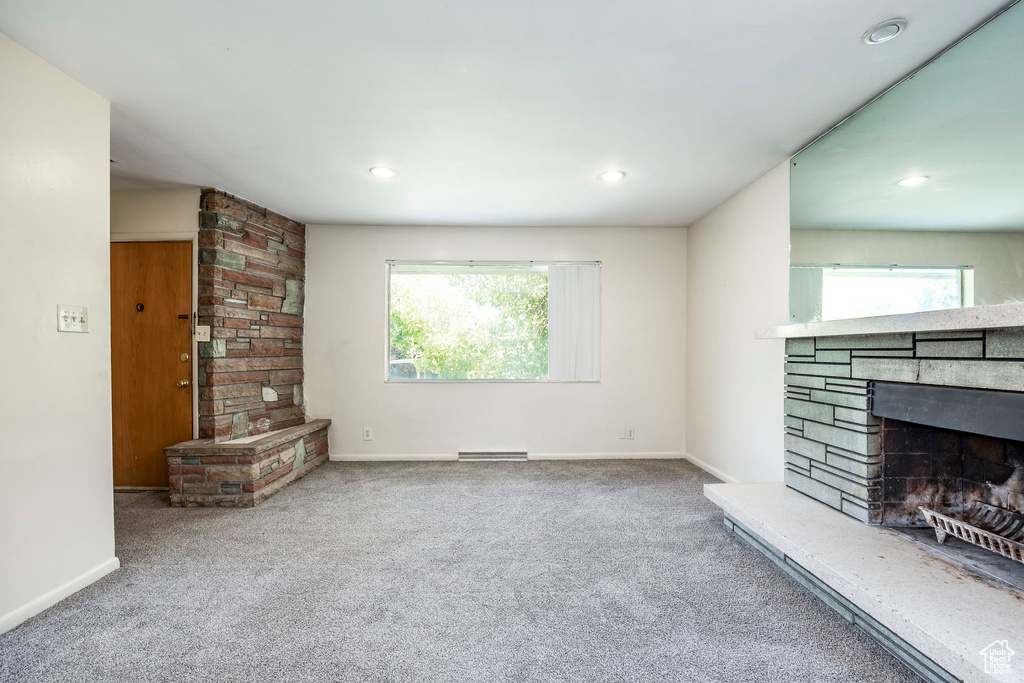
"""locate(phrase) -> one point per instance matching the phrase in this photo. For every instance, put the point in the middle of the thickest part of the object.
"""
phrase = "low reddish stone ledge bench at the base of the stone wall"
(247, 472)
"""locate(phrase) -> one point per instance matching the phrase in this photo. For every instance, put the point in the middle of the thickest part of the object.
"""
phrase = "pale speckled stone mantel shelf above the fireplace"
(976, 318)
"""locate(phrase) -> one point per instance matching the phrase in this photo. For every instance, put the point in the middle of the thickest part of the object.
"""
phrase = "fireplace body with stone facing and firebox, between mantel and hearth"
(913, 431)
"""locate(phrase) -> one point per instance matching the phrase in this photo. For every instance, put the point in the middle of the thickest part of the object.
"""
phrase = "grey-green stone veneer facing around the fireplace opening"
(834, 446)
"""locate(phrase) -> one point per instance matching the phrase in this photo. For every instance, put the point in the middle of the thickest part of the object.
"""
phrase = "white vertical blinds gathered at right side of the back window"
(575, 323)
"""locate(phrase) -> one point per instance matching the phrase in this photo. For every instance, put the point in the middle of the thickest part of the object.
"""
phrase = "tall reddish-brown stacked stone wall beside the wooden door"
(251, 293)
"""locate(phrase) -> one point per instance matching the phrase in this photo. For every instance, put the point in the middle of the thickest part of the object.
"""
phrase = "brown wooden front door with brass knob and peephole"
(151, 364)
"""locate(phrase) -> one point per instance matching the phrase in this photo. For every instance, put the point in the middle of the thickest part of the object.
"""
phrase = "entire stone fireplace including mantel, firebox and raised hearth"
(880, 421)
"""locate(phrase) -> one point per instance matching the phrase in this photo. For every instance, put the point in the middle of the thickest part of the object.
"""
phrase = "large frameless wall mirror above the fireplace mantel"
(917, 201)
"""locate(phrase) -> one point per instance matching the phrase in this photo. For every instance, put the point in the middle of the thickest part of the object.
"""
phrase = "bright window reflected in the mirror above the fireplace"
(843, 292)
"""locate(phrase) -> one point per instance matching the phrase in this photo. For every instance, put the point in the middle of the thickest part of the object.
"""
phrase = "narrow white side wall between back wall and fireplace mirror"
(738, 261)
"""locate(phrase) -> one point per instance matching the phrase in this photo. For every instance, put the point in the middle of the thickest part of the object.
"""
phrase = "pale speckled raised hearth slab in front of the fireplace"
(945, 612)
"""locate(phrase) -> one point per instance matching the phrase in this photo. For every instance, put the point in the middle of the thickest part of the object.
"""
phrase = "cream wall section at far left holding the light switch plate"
(57, 533)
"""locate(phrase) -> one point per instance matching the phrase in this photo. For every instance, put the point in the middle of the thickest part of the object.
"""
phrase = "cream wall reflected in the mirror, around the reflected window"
(998, 258)
